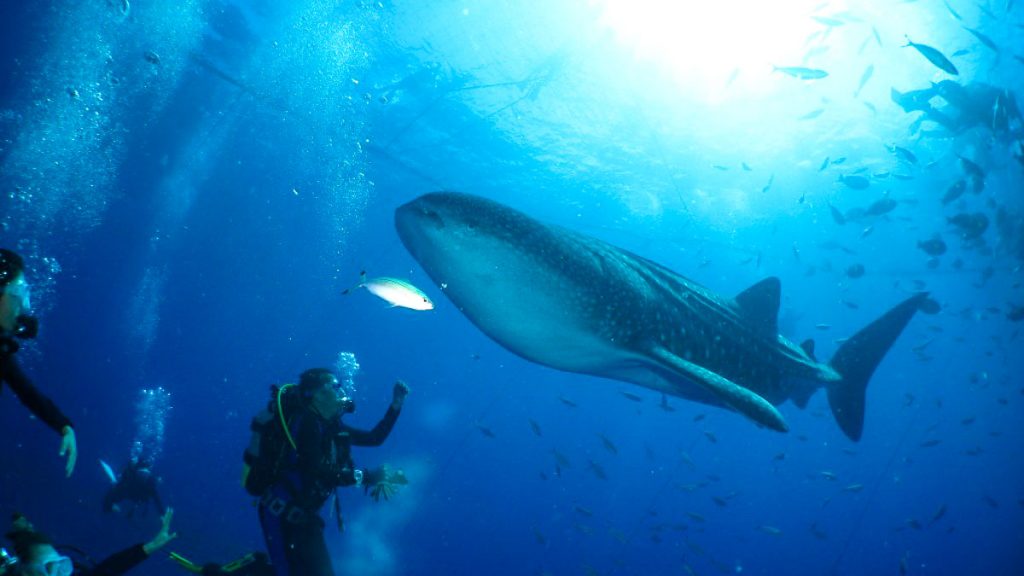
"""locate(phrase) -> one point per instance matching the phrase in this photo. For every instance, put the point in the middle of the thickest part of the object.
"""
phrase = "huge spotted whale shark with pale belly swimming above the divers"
(577, 304)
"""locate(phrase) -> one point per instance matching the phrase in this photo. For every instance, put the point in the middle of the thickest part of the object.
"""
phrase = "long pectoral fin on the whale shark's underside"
(733, 395)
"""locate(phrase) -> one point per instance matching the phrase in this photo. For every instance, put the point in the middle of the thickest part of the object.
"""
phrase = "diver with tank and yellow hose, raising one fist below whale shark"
(300, 455)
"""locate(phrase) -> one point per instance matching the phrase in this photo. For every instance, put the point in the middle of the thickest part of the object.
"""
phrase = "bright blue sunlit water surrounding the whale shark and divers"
(191, 226)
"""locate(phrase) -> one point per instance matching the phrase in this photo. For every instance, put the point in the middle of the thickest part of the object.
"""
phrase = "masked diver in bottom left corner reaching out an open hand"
(35, 554)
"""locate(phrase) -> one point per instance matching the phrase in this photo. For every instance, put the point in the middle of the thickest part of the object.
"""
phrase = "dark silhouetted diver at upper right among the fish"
(966, 107)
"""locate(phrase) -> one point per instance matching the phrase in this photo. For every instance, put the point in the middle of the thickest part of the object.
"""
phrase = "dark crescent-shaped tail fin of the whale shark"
(857, 360)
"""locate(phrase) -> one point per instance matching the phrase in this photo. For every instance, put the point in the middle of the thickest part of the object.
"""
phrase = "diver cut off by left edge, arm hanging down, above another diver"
(15, 325)
